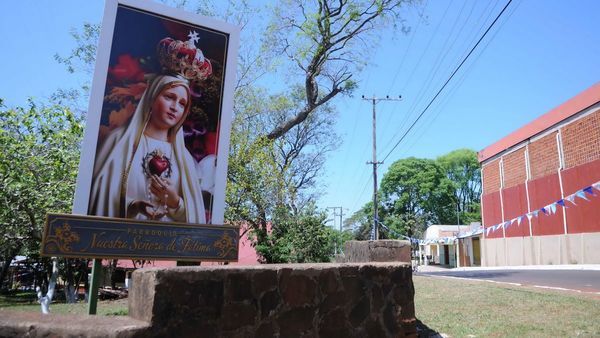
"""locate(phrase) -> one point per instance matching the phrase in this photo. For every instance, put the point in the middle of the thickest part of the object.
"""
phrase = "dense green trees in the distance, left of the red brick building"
(416, 193)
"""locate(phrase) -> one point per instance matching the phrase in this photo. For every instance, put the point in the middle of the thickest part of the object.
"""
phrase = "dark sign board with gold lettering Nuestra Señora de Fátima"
(100, 237)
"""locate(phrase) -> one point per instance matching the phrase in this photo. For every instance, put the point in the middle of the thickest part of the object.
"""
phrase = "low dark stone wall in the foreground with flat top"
(299, 300)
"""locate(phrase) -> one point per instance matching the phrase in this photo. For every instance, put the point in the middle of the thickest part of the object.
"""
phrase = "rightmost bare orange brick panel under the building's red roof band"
(581, 140)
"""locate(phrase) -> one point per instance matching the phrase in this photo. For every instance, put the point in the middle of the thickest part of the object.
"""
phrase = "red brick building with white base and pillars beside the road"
(545, 161)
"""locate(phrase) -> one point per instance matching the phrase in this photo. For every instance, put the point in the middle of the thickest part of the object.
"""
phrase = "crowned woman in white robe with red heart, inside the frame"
(143, 169)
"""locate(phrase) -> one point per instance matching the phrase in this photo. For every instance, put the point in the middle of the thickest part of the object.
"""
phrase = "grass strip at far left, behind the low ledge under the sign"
(27, 301)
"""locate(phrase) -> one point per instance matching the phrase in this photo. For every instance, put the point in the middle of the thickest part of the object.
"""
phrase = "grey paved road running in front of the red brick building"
(579, 280)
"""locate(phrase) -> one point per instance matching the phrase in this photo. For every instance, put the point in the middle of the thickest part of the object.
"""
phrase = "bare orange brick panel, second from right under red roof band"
(543, 156)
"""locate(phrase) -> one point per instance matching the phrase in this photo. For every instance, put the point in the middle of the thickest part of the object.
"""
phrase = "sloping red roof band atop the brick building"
(583, 100)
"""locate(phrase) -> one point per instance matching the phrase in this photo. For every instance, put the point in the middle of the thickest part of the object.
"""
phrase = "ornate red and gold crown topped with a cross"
(184, 58)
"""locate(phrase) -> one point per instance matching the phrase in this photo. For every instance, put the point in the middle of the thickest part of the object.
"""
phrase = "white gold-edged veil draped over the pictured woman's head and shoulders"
(115, 161)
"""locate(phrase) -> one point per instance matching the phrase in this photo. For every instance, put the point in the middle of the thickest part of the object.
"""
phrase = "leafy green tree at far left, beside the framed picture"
(38, 167)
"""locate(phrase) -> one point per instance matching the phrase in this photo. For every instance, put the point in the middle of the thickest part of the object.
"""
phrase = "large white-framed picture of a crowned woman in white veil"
(157, 137)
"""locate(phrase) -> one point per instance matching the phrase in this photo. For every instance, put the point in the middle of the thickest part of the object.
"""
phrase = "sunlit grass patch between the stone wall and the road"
(480, 309)
